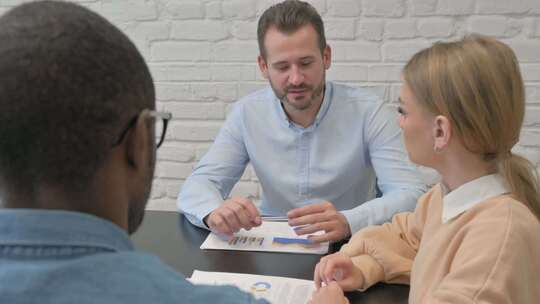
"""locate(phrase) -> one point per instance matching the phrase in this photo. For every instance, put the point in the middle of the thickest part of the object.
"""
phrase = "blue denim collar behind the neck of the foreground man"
(60, 228)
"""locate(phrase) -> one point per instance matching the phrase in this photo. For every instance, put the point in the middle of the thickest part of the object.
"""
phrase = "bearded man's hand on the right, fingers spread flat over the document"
(322, 216)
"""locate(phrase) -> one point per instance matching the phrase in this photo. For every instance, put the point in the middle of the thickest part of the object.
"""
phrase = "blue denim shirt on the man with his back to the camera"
(62, 257)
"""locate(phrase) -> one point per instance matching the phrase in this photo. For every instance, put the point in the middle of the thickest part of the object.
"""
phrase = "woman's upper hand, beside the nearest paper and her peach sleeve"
(340, 269)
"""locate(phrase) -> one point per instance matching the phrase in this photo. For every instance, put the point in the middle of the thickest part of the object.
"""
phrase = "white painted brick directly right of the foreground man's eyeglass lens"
(194, 131)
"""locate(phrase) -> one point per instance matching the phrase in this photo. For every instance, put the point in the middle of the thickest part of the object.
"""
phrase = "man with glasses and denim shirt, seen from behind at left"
(77, 155)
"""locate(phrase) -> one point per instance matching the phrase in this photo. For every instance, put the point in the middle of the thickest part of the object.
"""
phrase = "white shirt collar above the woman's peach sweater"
(470, 194)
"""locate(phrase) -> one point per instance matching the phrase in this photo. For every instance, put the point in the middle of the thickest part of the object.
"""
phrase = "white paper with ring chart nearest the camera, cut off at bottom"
(273, 289)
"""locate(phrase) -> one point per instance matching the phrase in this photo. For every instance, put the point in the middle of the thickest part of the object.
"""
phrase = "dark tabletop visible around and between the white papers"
(170, 236)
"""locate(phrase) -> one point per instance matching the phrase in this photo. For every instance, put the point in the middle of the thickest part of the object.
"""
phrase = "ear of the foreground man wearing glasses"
(137, 142)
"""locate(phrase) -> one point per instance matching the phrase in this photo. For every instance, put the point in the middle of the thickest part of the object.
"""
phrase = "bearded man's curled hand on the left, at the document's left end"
(234, 214)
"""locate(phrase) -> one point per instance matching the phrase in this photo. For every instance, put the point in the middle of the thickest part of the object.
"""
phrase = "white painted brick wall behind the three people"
(202, 54)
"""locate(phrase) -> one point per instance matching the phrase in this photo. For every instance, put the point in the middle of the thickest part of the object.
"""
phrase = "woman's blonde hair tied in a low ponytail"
(477, 84)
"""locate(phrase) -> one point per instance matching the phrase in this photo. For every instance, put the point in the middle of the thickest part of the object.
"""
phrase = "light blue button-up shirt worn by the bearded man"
(353, 144)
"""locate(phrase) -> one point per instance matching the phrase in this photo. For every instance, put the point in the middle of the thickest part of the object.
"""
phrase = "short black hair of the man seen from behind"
(69, 82)
